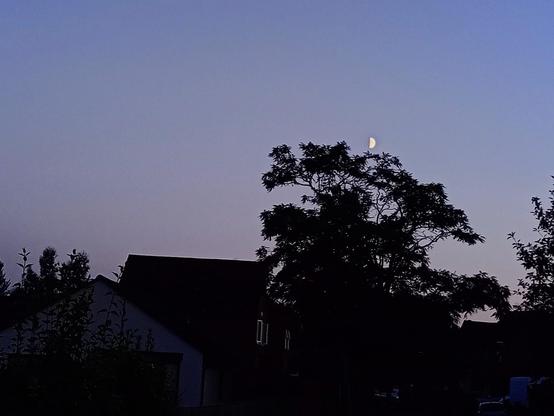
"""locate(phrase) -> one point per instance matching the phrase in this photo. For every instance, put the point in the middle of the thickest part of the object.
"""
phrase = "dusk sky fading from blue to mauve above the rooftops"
(144, 127)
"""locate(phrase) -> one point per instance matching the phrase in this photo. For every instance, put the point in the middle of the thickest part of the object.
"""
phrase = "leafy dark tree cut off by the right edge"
(537, 258)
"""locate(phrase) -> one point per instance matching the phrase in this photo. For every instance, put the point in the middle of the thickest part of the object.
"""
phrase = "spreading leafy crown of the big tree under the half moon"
(363, 231)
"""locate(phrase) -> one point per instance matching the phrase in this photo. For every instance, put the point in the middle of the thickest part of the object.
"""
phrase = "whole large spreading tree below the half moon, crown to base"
(352, 260)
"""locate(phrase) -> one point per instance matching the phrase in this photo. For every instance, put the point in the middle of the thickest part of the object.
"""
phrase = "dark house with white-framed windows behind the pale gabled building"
(219, 305)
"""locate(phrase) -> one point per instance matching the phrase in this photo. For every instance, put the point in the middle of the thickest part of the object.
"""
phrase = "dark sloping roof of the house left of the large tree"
(212, 302)
